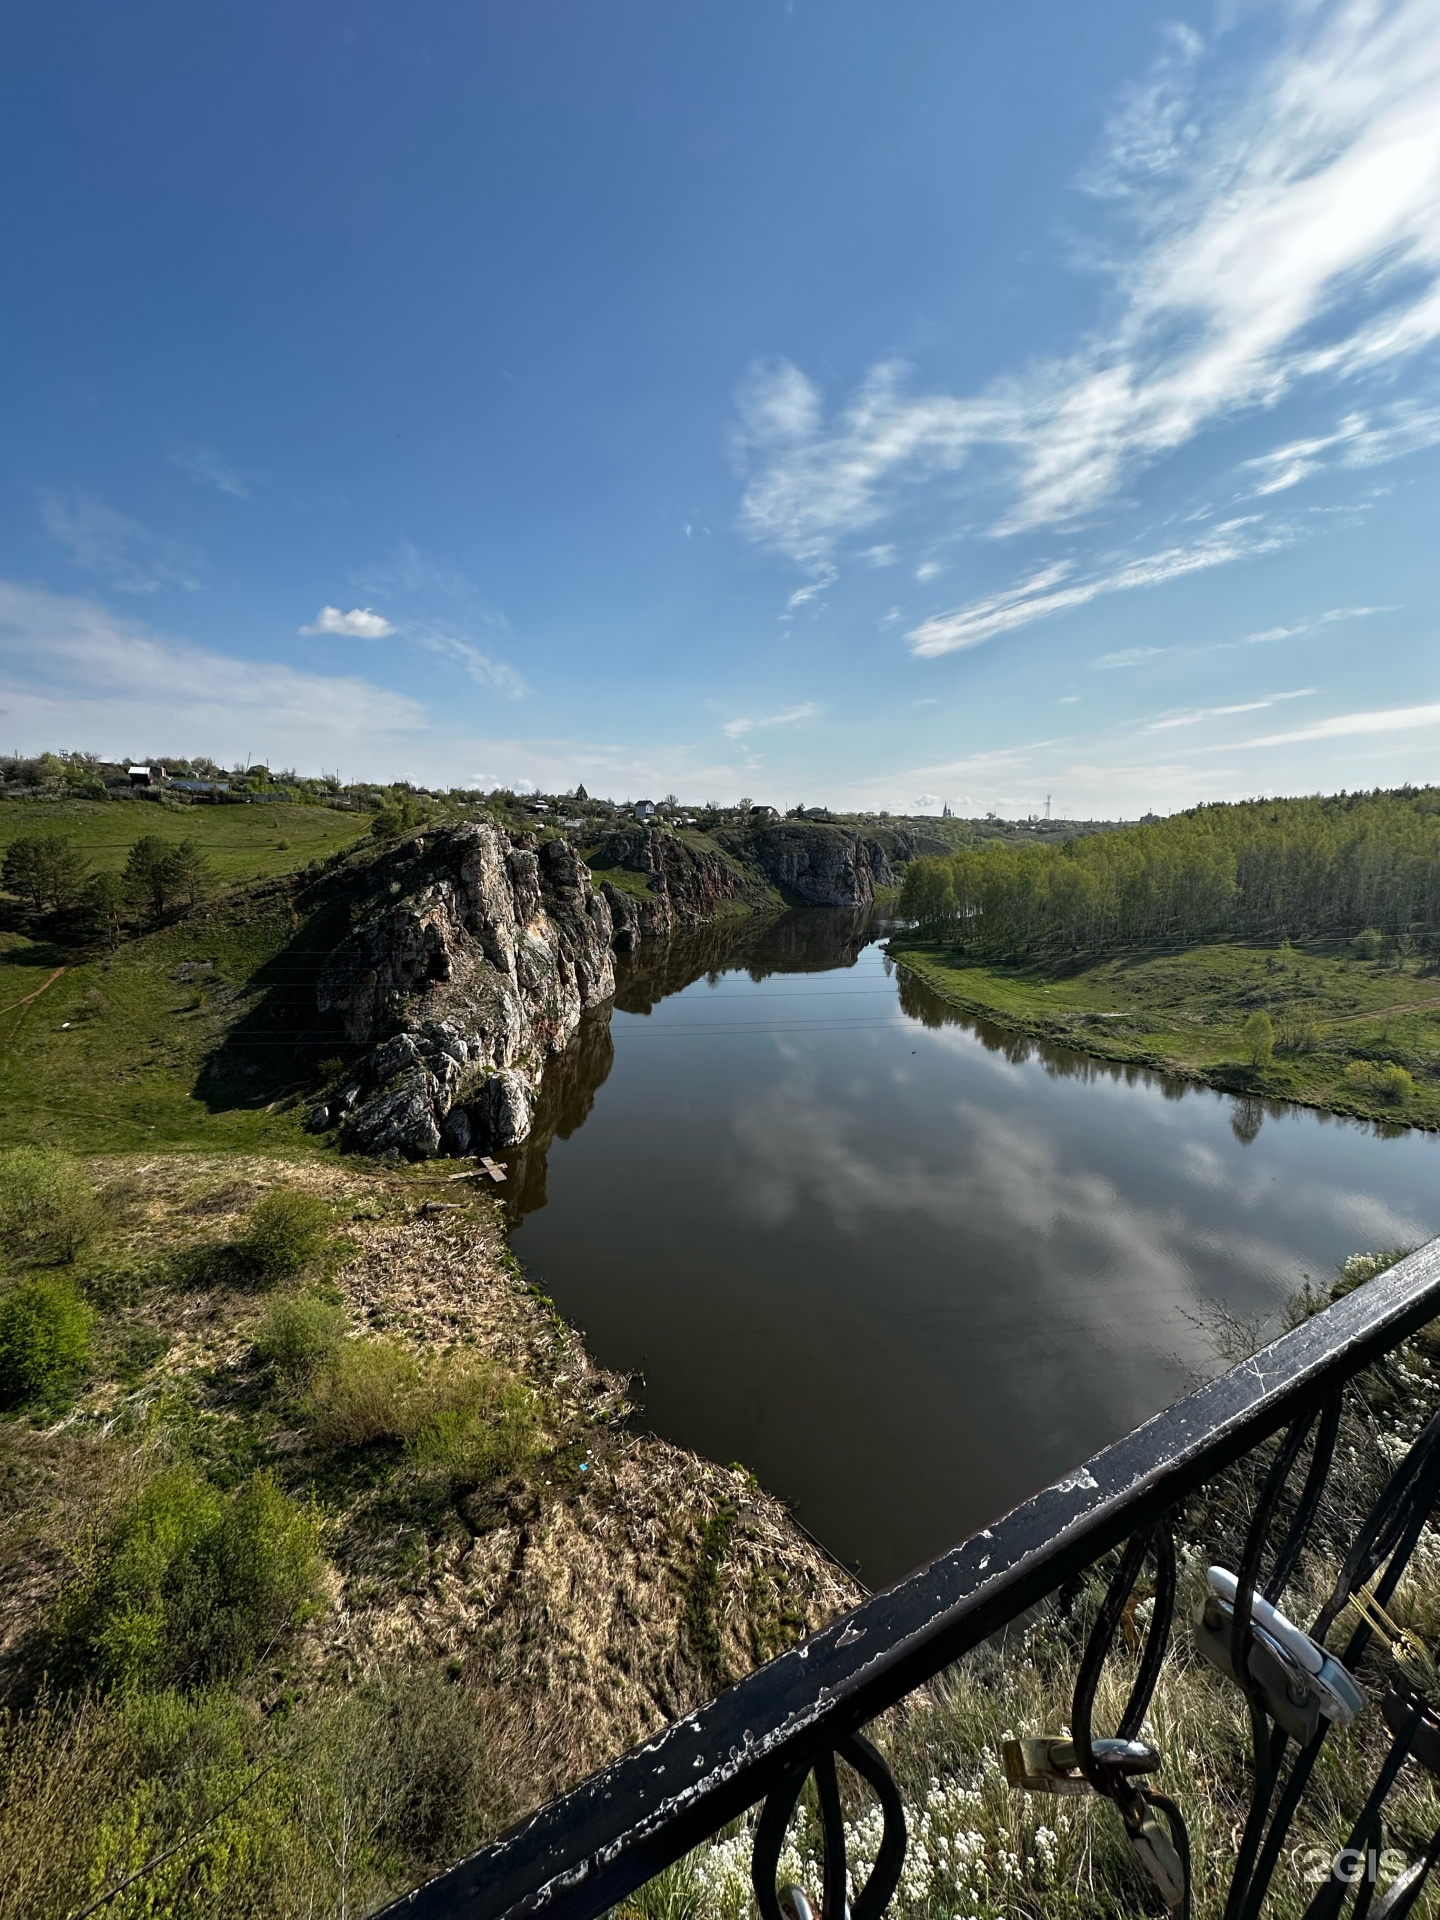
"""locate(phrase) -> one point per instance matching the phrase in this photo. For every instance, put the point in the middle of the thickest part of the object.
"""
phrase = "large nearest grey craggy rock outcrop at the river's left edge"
(468, 965)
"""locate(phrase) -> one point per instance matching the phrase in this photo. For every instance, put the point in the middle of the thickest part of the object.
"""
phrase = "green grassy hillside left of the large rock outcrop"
(105, 1051)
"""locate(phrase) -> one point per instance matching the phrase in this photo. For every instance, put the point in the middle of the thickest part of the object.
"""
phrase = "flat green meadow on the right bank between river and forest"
(1186, 1011)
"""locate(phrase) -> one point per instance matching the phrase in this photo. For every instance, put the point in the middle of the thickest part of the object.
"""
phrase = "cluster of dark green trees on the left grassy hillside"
(53, 875)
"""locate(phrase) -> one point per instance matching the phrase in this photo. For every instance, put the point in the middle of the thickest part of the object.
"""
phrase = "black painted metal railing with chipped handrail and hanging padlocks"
(763, 1740)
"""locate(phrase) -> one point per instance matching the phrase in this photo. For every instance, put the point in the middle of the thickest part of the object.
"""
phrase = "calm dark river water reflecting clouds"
(900, 1264)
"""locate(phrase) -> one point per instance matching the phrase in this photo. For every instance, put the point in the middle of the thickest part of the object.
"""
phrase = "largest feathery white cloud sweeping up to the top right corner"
(1278, 229)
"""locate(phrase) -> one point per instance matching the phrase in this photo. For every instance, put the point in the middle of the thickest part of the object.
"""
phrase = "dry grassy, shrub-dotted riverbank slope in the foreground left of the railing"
(475, 1633)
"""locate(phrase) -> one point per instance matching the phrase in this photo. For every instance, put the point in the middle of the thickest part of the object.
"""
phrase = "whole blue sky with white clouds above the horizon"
(859, 404)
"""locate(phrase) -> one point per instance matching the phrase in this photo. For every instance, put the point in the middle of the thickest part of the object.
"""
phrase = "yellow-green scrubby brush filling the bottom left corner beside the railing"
(331, 1810)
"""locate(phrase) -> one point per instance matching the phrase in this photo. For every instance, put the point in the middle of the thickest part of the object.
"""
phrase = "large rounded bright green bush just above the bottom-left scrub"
(191, 1585)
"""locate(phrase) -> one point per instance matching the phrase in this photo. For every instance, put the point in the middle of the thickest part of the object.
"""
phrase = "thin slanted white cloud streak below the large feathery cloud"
(1045, 594)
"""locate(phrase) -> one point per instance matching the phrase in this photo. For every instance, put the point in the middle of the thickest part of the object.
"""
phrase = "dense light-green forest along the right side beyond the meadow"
(1234, 871)
